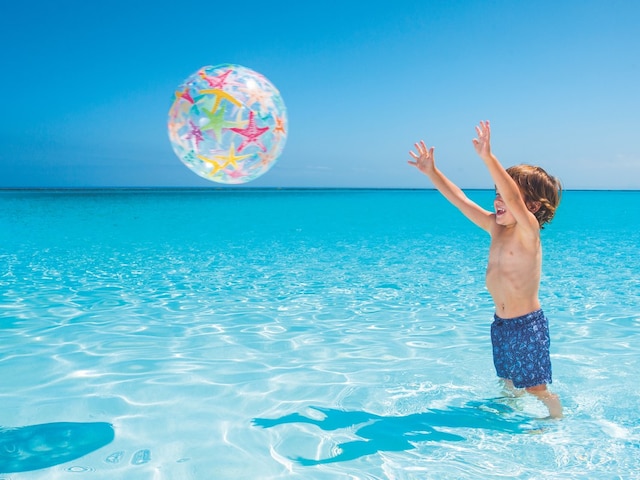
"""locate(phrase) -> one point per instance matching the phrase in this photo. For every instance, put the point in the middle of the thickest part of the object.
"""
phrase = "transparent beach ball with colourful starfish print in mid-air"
(228, 124)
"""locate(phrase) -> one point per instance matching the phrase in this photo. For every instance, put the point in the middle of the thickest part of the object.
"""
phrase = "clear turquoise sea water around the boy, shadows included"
(303, 334)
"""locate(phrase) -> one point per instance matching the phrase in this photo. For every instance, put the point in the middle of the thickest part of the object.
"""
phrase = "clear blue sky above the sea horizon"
(87, 87)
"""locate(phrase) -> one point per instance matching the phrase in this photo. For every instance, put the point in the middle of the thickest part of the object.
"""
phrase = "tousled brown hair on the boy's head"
(541, 191)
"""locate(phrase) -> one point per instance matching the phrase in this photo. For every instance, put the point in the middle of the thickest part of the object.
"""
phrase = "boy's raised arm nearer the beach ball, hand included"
(424, 161)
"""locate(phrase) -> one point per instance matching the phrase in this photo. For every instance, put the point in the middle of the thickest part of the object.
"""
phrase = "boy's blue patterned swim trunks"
(521, 349)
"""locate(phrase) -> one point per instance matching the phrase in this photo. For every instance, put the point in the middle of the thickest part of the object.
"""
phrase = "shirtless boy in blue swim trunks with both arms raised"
(526, 199)
